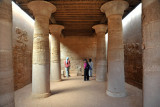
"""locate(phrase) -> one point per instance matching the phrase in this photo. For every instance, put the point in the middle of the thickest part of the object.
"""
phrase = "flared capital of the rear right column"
(100, 28)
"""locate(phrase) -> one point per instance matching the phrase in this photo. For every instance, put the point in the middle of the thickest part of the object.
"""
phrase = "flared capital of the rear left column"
(56, 29)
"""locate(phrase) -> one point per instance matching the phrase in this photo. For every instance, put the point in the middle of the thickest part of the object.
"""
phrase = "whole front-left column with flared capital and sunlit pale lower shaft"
(41, 58)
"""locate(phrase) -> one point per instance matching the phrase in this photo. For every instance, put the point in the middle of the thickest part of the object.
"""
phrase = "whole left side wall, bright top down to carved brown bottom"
(22, 36)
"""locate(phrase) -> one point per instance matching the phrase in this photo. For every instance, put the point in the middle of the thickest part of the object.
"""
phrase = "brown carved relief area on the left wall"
(22, 60)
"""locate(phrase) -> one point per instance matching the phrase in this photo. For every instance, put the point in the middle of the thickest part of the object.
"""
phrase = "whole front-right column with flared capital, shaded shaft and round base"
(116, 82)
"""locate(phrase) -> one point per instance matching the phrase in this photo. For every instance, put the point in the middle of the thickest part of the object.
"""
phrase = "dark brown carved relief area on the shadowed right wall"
(133, 63)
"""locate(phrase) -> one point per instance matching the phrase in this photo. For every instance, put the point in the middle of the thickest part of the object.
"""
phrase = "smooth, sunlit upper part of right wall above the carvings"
(132, 25)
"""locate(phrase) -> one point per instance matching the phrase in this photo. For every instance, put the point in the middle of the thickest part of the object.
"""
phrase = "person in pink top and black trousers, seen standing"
(86, 70)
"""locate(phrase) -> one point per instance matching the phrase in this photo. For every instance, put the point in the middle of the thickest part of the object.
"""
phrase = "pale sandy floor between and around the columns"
(74, 92)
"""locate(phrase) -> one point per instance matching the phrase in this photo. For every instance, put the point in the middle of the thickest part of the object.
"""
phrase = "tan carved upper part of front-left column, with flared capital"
(41, 30)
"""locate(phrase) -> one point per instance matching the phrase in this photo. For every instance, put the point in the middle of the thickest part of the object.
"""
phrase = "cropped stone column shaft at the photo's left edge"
(6, 67)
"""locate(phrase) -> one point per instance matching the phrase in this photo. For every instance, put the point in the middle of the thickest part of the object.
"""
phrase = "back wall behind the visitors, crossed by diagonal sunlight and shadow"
(78, 48)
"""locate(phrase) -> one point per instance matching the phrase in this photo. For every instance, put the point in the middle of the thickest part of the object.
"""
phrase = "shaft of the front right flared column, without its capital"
(116, 86)
